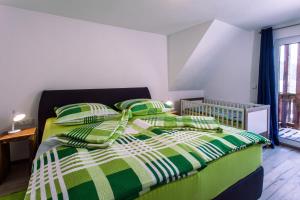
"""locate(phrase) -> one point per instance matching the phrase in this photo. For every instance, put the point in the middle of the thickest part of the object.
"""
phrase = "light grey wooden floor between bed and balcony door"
(282, 174)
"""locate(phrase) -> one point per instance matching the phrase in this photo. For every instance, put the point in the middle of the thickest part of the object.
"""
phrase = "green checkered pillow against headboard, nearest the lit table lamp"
(84, 113)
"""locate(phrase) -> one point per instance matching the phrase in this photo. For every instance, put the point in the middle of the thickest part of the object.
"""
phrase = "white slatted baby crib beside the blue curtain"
(247, 116)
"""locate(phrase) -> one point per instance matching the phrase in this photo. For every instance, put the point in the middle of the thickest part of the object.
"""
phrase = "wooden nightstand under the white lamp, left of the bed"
(25, 134)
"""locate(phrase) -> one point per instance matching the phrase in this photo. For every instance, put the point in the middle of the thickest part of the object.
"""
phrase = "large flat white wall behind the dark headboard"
(41, 51)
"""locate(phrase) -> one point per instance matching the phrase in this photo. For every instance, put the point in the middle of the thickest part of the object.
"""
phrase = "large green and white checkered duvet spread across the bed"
(142, 158)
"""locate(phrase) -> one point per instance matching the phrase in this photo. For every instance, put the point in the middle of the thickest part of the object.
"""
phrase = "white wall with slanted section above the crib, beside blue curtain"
(216, 57)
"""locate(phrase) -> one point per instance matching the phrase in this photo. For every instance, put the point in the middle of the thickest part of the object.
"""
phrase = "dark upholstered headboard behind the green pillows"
(57, 98)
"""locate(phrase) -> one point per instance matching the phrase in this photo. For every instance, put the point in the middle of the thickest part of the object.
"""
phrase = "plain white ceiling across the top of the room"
(168, 16)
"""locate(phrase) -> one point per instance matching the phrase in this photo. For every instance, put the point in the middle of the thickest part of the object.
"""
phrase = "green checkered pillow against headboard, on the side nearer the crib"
(144, 106)
